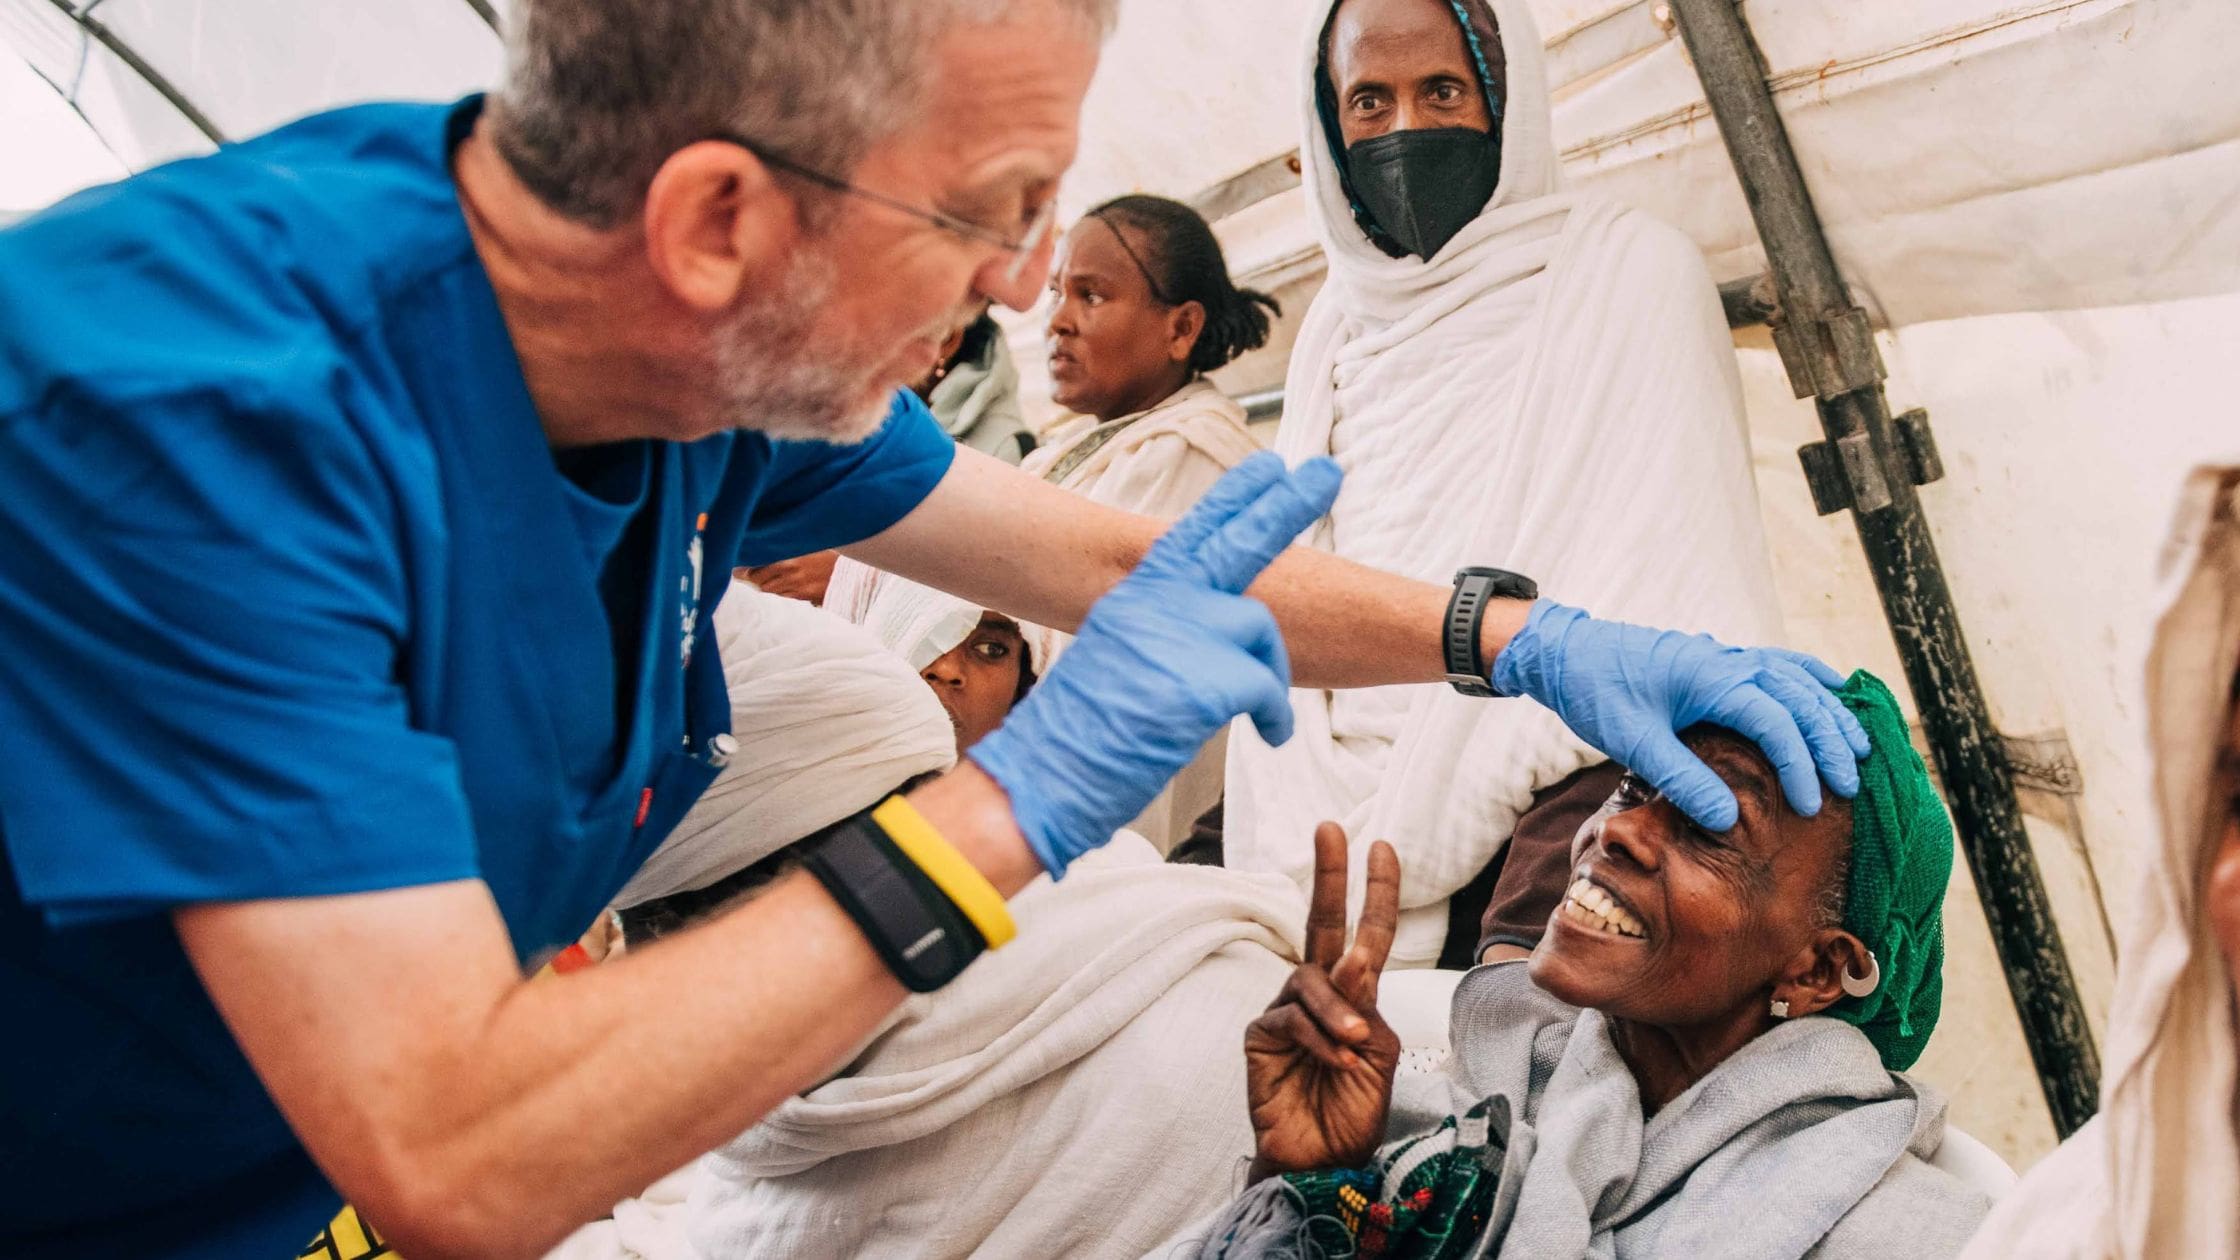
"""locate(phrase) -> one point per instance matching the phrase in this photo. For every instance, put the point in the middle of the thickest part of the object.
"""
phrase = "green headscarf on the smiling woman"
(1901, 862)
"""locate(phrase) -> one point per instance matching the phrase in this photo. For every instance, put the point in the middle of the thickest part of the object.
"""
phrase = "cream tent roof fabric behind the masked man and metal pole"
(1934, 136)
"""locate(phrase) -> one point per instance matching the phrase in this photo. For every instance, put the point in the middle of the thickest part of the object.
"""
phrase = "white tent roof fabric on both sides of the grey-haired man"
(1936, 133)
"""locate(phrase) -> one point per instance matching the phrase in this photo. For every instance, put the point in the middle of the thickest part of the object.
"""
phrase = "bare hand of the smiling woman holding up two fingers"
(1320, 1062)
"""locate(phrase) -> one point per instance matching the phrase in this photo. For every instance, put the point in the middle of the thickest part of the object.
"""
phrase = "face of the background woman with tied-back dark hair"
(1114, 349)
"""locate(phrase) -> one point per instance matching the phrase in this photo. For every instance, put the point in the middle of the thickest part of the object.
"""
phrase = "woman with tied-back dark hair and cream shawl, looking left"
(1141, 311)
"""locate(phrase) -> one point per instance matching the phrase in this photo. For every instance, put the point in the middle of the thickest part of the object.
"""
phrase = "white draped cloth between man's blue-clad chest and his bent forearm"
(828, 723)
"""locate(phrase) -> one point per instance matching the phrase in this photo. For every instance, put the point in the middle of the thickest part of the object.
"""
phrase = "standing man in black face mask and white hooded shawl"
(1511, 376)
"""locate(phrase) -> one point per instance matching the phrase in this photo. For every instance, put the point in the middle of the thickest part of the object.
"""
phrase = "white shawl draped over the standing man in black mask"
(1553, 393)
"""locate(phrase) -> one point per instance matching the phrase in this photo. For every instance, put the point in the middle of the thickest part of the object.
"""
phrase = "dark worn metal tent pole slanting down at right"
(1872, 463)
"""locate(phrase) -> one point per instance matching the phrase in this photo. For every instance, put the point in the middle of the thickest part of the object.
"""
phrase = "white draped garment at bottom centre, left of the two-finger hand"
(1079, 1093)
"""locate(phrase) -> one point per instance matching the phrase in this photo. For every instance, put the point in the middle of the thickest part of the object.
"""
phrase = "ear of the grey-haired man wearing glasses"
(716, 223)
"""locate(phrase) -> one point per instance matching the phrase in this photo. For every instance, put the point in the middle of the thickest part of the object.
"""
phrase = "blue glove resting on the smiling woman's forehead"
(1627, 689)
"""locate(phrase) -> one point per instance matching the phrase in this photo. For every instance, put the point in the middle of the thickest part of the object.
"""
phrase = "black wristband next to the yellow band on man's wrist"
(915, 929)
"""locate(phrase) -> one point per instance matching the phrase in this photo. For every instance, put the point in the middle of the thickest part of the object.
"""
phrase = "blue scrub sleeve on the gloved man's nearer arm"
(203, 611)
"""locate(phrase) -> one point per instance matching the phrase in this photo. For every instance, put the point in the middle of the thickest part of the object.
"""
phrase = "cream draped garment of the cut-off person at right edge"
(2158, 1171)
